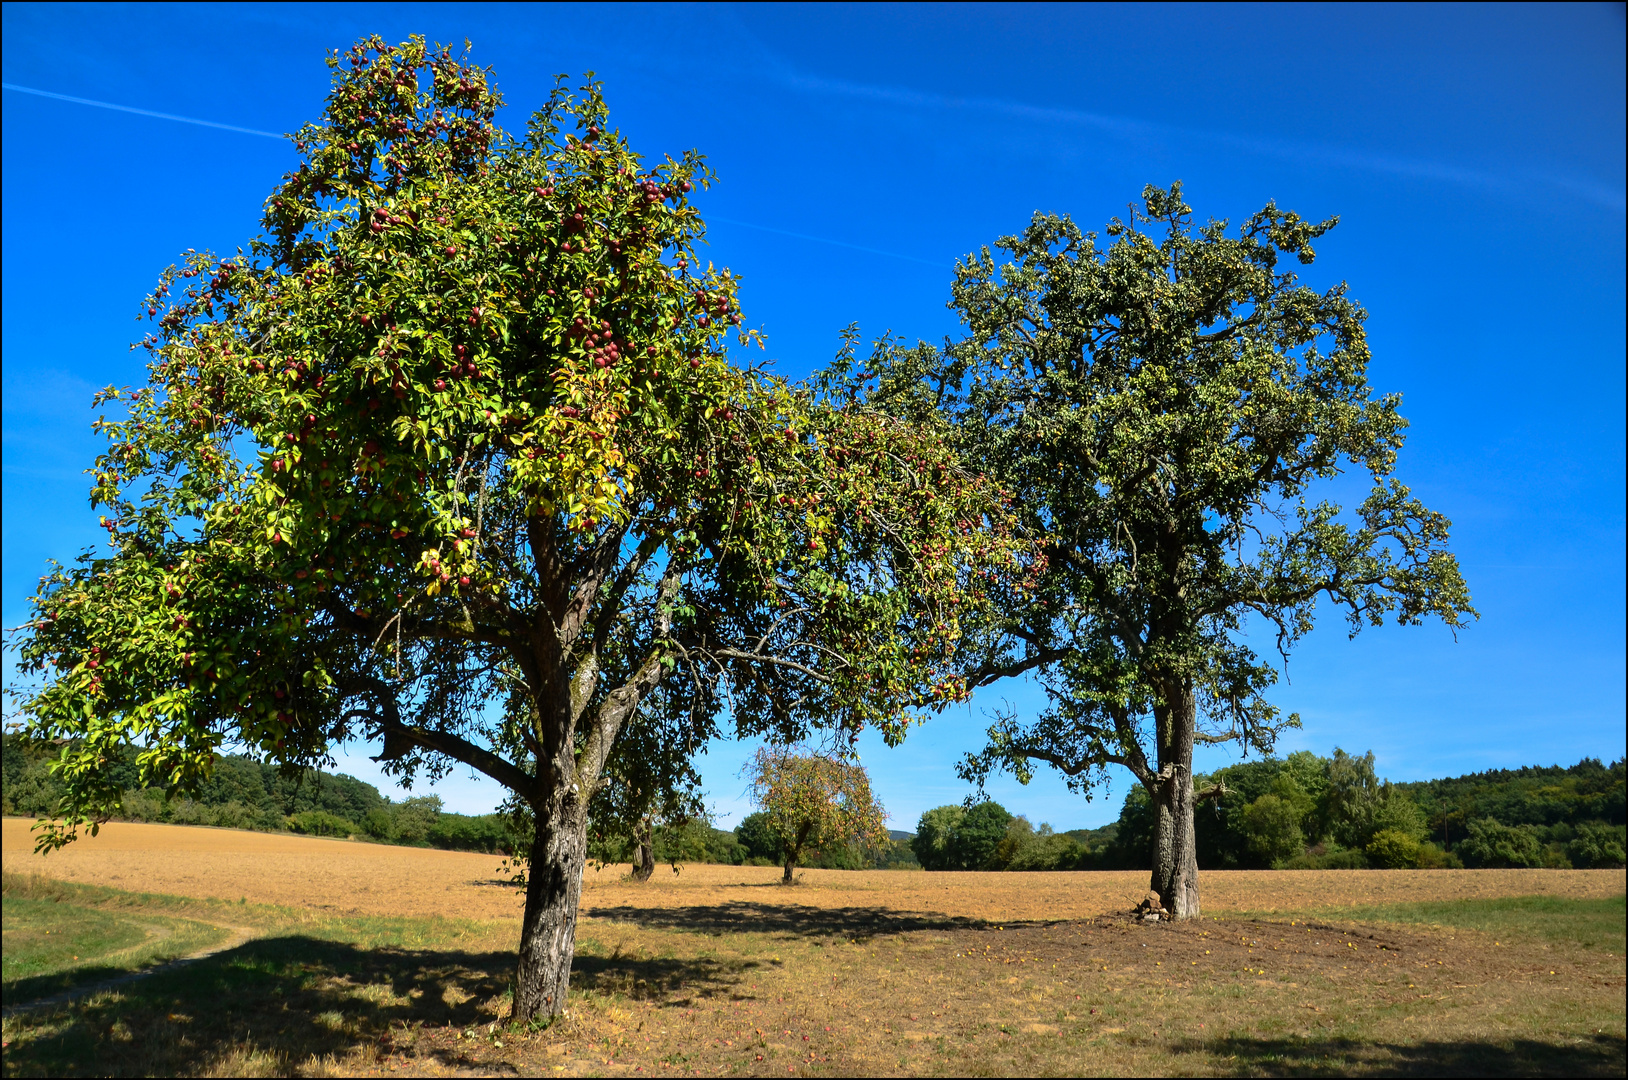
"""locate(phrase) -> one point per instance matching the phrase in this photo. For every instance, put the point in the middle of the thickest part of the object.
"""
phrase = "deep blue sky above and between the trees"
(1474, 154)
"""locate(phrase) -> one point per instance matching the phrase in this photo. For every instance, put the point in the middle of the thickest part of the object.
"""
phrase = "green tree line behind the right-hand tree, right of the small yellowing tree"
(1323, 814)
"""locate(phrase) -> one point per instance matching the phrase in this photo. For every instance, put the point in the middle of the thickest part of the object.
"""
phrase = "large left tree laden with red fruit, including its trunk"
(455, 459)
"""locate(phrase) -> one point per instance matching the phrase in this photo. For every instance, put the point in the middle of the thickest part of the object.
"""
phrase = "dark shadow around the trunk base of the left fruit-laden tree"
(271, 1006)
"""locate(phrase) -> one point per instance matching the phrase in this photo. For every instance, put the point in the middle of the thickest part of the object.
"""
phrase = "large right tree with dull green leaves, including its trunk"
(1166, 405)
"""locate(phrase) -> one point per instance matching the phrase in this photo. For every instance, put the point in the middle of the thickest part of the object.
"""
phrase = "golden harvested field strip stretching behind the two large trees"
(383, 880)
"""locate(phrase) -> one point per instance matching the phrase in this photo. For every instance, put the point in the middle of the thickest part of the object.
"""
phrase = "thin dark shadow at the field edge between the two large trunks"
(784, 920)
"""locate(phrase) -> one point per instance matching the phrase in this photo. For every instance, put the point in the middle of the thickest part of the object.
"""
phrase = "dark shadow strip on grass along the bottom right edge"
(1601, 1056)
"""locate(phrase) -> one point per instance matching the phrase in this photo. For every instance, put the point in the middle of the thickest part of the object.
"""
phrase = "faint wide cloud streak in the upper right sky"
(1124, 128)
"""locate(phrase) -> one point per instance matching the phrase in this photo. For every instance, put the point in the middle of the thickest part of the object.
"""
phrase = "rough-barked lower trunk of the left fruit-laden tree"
(554, 882)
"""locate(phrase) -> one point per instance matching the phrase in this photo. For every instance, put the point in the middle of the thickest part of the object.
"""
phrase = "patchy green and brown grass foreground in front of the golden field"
(1518, 986)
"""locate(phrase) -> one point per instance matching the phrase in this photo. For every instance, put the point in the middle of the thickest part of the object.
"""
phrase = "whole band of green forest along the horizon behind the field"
(1298, 812)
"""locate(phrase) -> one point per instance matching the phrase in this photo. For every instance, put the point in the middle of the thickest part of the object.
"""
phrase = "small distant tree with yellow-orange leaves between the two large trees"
(815, 802)
